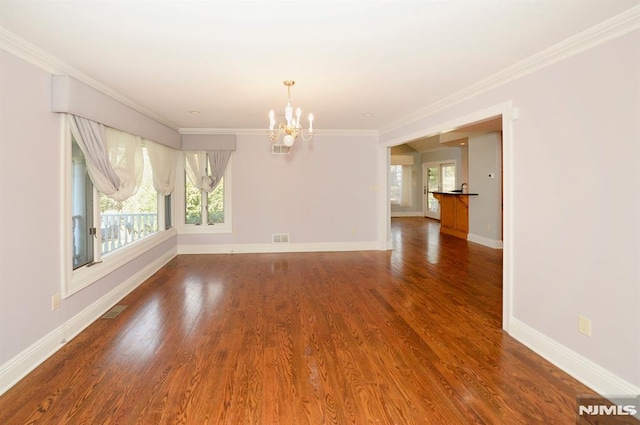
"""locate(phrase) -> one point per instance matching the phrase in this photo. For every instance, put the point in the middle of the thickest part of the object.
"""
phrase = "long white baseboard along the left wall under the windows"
(18, 367)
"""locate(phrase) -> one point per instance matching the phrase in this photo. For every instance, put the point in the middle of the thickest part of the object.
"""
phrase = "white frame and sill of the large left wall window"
(74, 280)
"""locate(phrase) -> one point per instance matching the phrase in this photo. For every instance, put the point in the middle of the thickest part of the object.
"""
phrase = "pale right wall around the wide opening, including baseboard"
(574, 244)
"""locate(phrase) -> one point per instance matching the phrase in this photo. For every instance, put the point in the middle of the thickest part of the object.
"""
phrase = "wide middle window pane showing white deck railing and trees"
(124, 222)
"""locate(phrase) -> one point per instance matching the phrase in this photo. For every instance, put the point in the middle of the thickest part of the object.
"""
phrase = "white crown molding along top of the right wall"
(610, 29)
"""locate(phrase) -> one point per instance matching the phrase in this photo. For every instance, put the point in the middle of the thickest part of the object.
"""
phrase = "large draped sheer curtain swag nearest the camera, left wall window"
(114, 158)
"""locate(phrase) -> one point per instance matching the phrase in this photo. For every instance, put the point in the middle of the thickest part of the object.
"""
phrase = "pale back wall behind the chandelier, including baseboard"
(324, 194)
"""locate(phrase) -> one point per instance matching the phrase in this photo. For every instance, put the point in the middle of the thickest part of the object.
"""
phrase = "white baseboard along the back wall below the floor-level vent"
(277, 248)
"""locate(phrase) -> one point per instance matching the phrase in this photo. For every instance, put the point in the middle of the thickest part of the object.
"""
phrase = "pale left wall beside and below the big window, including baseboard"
(31, 239)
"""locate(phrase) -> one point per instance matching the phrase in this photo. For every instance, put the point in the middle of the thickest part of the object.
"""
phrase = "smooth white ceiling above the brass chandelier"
(227, 59)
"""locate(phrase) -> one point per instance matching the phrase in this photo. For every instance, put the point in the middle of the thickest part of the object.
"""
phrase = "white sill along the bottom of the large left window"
(87, 275)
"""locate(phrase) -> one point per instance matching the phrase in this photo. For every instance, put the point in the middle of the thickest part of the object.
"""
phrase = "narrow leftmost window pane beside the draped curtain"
(82, 209)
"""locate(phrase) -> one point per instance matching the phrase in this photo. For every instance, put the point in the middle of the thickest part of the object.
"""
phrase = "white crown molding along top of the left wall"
(36, 56)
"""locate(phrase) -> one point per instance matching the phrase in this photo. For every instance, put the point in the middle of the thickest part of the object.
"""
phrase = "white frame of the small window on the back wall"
(180, 216)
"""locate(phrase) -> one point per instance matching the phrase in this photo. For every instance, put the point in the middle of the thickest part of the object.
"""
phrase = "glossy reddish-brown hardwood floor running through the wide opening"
(410, 336)
